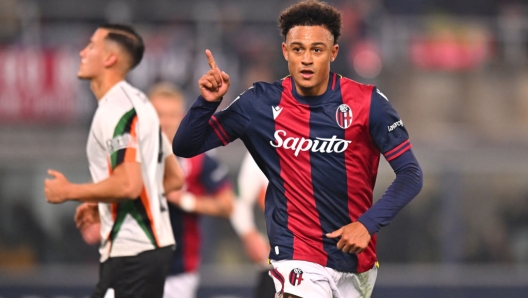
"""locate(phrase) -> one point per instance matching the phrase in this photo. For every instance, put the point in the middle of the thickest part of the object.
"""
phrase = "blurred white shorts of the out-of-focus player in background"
(184, 285)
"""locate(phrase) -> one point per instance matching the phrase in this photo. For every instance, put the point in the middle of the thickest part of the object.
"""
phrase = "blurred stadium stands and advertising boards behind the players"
(457, 72)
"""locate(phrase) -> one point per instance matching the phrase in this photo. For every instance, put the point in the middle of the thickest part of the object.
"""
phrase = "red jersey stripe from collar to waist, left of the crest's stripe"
(303, 218)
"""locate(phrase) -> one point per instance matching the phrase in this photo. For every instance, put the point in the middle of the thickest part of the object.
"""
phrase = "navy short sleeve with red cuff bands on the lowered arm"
(386, 127)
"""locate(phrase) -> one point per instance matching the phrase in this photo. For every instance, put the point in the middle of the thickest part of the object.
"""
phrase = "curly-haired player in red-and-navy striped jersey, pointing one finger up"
(318, 137)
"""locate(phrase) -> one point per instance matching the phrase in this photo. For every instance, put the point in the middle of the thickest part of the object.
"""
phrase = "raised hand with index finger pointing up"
(215, 83)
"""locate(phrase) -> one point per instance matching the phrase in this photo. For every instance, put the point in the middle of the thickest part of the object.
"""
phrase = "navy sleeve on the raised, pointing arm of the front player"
(200, 130)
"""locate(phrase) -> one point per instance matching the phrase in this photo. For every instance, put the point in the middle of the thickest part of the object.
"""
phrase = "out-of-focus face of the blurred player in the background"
(170, 112)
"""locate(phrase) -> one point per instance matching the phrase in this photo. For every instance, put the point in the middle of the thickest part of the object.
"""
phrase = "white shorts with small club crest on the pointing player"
(310, 280)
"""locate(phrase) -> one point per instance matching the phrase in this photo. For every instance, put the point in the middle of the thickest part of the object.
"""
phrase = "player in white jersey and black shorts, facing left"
(131, 168)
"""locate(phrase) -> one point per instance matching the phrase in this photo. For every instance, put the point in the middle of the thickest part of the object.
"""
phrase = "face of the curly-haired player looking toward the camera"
(309, 51)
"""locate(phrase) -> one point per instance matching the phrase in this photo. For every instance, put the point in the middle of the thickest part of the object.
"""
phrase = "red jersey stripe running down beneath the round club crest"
(361, 161)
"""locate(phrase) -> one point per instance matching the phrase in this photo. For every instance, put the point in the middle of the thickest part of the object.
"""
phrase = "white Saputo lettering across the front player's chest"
(322, 145)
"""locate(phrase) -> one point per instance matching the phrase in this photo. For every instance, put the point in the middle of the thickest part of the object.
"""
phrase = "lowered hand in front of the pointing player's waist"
(354, 237)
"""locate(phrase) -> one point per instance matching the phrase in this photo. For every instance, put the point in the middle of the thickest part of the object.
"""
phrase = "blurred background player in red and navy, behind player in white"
(207, 191)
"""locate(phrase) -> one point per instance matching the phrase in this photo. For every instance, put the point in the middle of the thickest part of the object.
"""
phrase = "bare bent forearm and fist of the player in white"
(124, 183)
